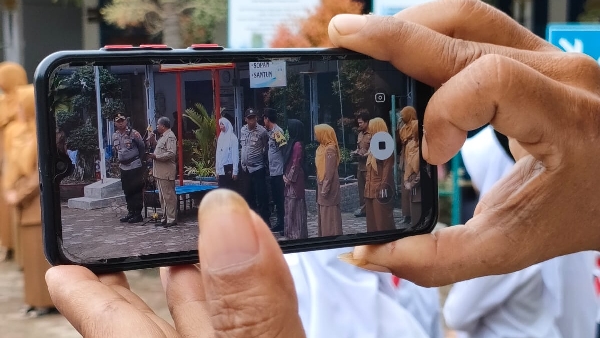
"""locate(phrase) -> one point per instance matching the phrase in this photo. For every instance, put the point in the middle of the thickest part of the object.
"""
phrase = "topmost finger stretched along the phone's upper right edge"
(401, 43)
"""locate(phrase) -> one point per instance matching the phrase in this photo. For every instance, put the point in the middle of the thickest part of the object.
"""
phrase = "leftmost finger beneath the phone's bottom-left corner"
(95, 309)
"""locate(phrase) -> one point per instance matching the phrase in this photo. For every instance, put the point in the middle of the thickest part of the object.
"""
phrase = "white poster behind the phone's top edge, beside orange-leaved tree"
(253, 23)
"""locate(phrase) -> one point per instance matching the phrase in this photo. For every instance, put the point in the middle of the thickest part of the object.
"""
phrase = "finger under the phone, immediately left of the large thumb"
(186, 300)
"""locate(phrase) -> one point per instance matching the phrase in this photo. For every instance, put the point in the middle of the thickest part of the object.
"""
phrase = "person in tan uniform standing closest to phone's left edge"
(22, 177)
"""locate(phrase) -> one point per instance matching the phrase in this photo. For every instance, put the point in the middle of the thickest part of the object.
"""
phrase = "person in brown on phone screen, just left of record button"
(360, 154)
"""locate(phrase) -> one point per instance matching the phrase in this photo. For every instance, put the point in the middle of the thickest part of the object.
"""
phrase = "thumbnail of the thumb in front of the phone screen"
(227, 236)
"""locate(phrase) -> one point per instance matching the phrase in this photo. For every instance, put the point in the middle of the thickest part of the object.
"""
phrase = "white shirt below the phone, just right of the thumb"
(339, 300)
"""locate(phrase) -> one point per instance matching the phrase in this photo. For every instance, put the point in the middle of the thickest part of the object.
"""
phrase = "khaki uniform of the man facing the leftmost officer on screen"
(165, 172)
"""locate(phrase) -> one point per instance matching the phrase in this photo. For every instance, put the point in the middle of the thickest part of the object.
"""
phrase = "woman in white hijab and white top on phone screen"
(228, 156)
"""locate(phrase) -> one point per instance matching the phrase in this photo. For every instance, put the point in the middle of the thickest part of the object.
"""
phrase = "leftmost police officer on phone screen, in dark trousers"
(130, 149)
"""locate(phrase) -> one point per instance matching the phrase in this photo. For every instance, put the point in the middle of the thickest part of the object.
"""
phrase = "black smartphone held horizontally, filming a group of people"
(102, 207)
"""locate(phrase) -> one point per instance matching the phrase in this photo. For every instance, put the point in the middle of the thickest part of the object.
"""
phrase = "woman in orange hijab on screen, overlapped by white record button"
(379, 186)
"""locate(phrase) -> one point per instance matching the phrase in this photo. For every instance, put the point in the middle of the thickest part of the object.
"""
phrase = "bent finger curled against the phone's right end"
(515, 99)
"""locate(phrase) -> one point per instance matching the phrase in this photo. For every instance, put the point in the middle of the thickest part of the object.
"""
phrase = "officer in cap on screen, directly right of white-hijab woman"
(255, 142)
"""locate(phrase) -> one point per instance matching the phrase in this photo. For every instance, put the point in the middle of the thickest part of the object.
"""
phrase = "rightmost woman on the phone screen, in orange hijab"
(409, 158)
